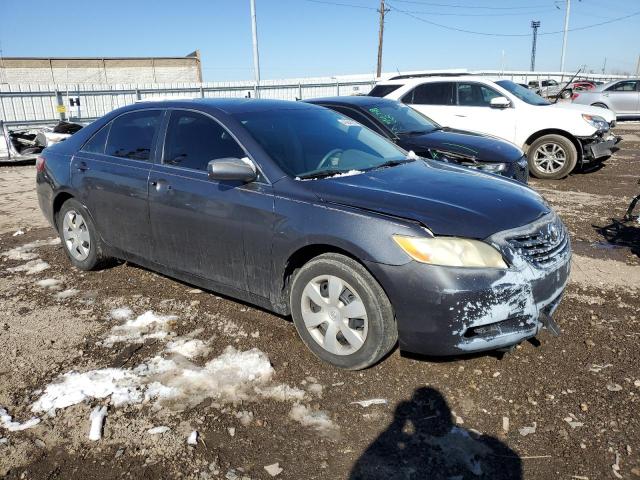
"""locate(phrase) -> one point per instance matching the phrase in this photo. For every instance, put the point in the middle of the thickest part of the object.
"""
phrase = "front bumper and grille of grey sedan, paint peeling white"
(452, 310)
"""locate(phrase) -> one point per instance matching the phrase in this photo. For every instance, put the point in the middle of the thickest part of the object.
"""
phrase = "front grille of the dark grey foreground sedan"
(544, 246)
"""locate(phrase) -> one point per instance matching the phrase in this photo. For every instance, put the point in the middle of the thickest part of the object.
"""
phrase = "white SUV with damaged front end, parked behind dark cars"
(556, 137)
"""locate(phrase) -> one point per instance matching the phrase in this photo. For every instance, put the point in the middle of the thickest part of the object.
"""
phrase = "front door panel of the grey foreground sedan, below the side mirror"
(217, 230)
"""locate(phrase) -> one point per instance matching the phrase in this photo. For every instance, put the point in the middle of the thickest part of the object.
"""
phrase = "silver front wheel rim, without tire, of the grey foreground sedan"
(334, 315)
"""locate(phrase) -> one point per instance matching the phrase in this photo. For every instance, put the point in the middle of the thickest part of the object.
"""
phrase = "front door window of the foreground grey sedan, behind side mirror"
(193, 140)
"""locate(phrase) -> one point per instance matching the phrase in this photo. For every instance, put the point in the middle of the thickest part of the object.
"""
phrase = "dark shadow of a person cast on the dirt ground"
(422, 443)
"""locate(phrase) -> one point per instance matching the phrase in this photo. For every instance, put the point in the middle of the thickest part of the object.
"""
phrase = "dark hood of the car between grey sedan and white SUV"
(480, 147)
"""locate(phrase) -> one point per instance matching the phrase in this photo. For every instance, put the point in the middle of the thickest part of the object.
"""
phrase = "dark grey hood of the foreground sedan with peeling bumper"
(449, 200)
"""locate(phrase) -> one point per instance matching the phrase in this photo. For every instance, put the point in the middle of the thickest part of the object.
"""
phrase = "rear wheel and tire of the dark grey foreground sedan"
(74, 222)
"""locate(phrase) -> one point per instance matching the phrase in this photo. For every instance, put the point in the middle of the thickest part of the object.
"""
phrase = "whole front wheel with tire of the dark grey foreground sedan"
(353, 342)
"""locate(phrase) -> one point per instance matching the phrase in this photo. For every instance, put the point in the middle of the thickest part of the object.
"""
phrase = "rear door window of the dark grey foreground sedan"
(132, 134)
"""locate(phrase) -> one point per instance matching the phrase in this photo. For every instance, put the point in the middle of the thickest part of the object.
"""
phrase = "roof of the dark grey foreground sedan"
(227, 105)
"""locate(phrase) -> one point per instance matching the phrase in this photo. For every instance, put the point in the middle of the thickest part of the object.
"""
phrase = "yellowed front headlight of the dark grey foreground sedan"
(451, 251)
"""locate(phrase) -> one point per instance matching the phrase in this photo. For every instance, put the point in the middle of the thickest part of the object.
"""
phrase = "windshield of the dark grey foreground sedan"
(318, 142)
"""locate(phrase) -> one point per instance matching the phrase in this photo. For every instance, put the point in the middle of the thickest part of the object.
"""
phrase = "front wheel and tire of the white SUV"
(552, 157)
